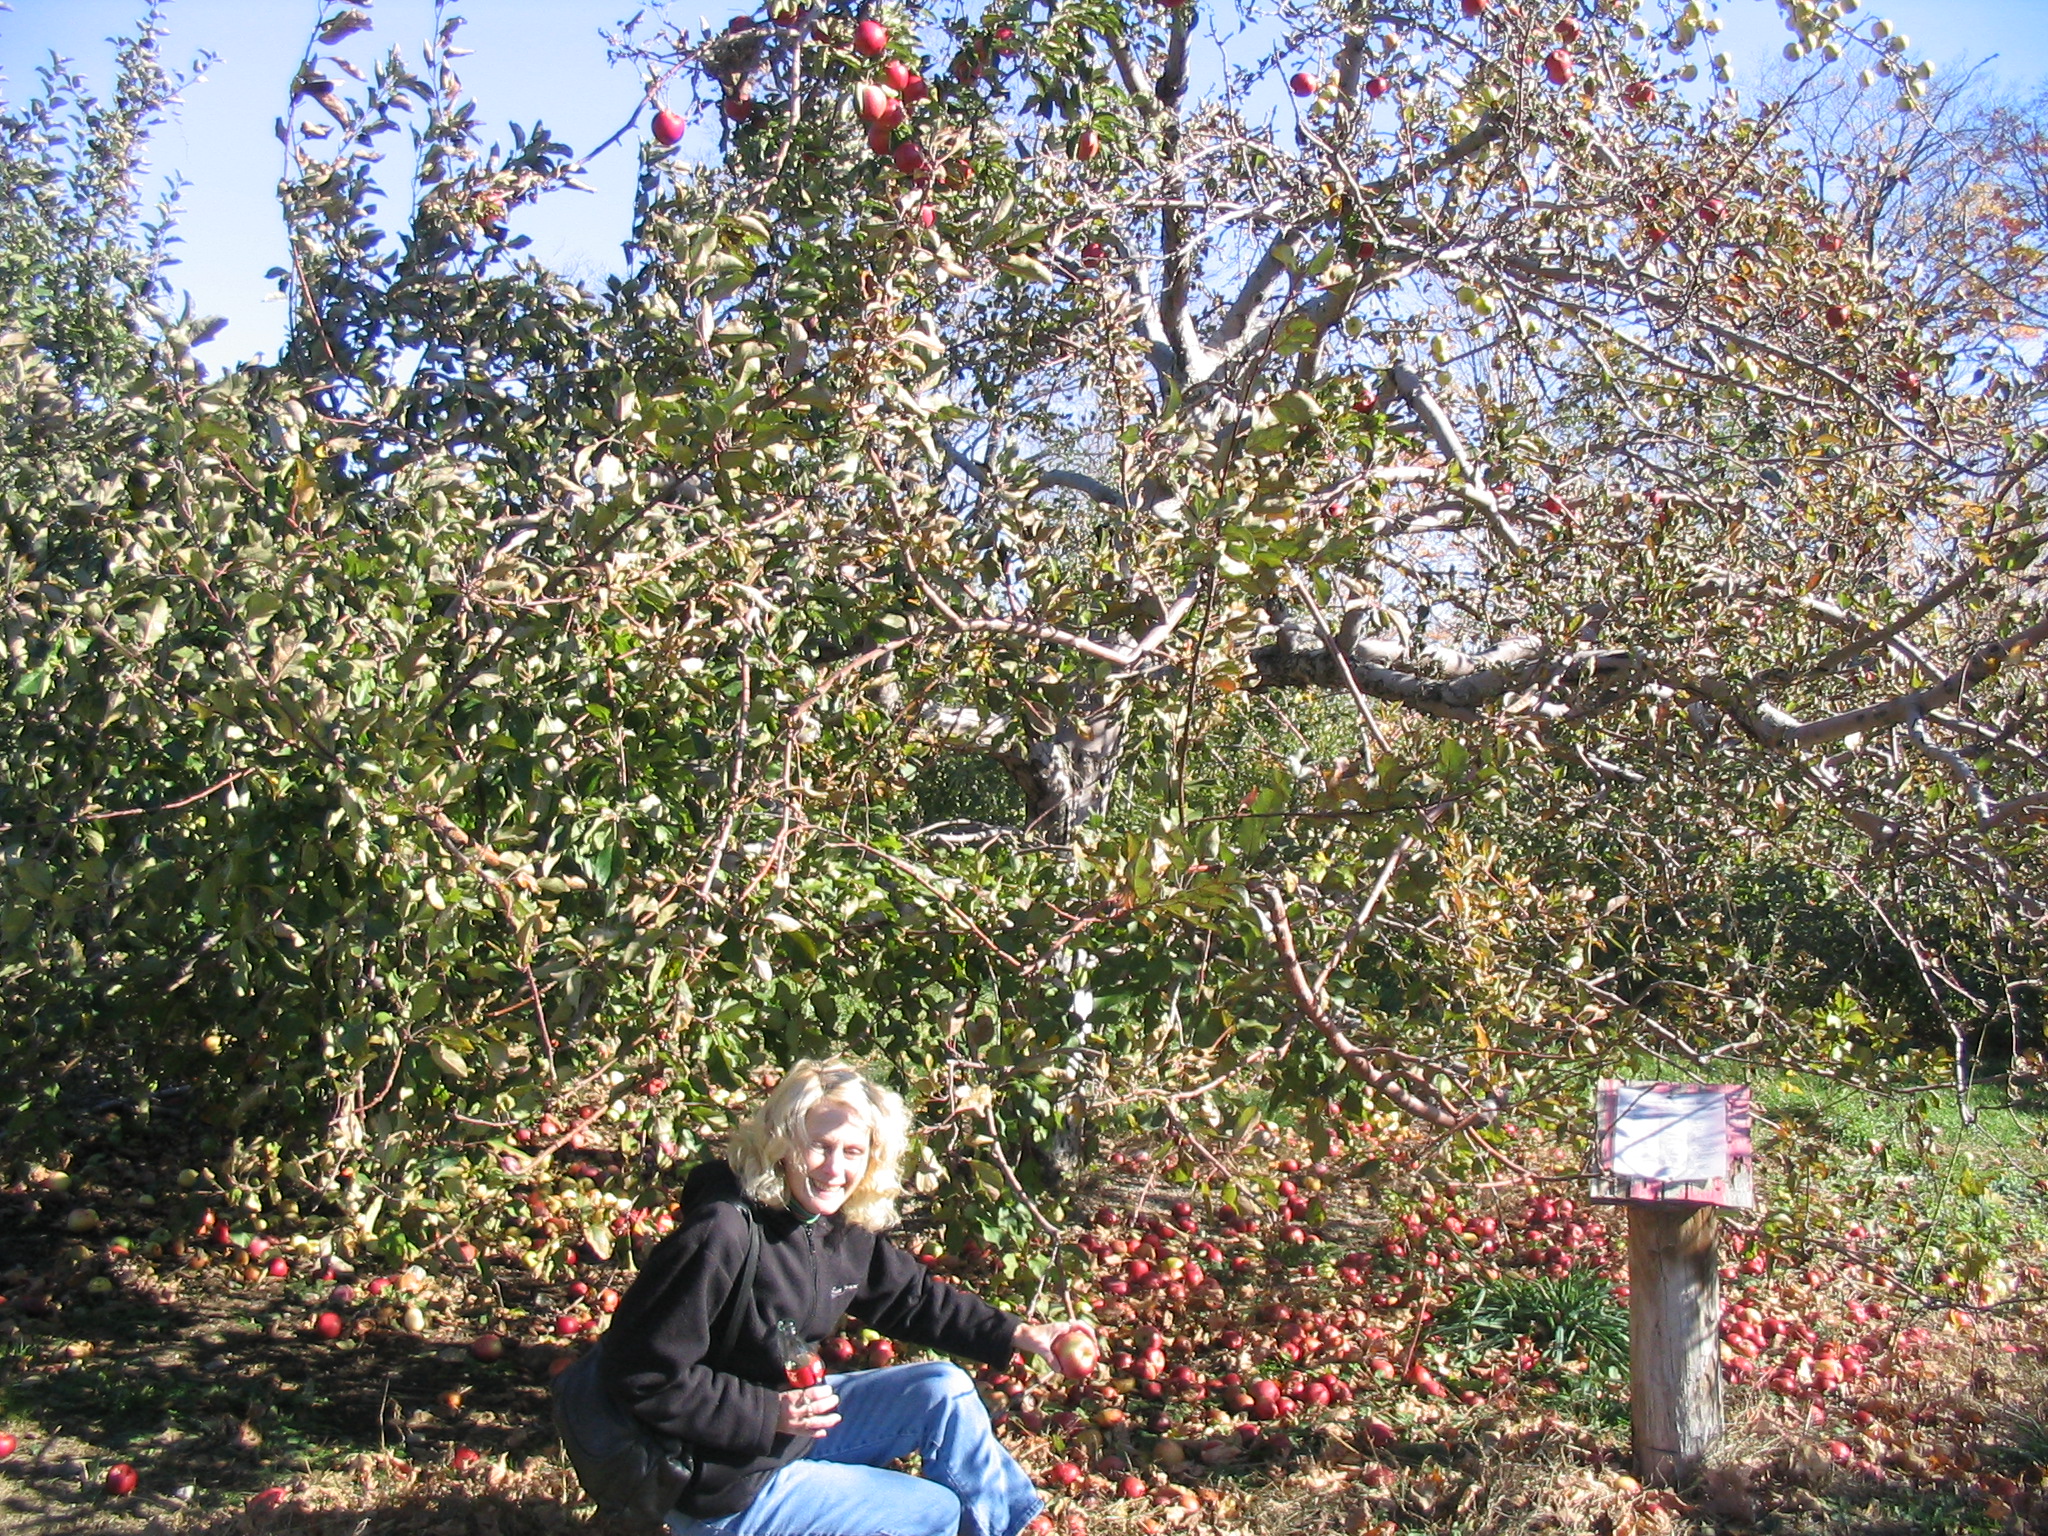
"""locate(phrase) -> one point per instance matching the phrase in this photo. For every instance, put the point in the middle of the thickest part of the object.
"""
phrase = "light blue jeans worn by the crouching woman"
(841, 1488)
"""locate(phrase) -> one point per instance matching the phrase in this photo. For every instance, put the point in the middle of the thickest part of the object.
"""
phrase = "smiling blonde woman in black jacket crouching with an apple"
(818, 1172)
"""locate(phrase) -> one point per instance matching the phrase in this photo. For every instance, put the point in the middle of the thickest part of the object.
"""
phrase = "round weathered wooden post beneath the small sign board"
(1674, 1338)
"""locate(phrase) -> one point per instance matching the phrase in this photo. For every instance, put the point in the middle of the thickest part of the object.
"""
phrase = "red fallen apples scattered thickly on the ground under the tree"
(1222, 1336)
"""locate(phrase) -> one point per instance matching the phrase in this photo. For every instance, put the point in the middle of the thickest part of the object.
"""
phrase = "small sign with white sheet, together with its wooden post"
(1674, 1154)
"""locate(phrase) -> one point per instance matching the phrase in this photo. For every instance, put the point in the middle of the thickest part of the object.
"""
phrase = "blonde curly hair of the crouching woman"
(765, 1144)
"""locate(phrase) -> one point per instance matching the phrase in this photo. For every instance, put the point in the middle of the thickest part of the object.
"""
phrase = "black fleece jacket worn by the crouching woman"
(660, 1349)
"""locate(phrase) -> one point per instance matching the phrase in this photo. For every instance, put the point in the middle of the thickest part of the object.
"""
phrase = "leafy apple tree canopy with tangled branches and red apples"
(1062, 566)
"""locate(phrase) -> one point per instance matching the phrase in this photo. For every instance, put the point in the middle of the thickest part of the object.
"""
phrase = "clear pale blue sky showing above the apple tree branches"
(544, 60)
